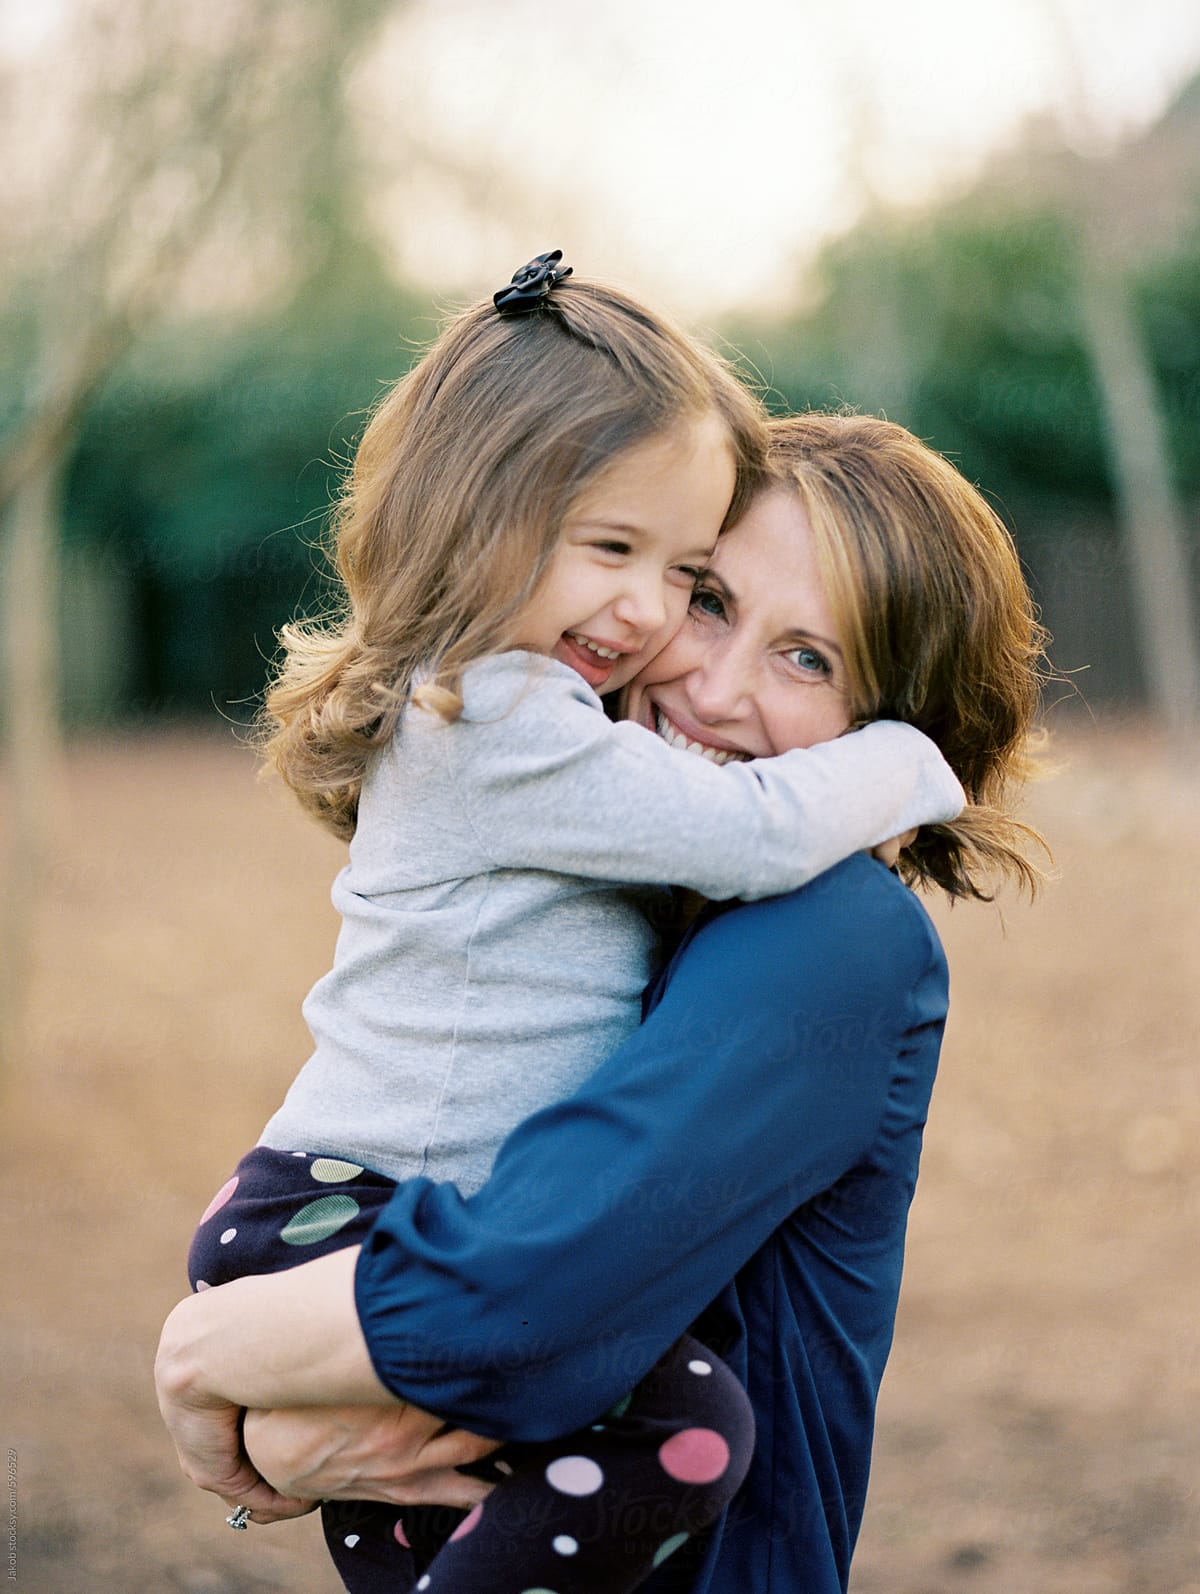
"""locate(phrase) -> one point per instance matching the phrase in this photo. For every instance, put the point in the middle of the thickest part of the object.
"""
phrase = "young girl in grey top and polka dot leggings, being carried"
(528, 516)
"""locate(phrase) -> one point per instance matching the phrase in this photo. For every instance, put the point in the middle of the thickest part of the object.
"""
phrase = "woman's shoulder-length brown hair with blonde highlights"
(936, 621)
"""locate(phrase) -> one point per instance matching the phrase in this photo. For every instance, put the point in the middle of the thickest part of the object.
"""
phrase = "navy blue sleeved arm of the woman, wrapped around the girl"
(611, 1220)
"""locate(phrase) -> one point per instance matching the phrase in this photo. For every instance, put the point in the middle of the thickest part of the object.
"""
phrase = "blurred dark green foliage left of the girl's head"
(200, 489)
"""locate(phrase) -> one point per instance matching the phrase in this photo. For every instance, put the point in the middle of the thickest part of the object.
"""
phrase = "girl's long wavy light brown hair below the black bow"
(461, 484)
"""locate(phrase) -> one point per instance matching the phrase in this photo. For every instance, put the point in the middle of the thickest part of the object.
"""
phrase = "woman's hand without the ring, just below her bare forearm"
(398, 1455)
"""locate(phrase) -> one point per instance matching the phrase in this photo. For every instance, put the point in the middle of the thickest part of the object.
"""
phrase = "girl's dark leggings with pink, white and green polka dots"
(590, 1514)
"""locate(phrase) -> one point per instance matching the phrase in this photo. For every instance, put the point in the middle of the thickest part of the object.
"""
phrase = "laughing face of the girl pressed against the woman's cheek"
(627, 562)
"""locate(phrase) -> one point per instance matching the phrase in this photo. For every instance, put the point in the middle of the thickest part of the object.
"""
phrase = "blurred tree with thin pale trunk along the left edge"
(157, 132)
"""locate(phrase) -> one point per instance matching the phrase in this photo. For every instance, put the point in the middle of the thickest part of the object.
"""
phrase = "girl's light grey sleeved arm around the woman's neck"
(546, 782)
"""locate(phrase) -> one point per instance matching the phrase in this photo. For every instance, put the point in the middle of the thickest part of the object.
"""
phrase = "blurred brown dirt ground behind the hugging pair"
(1040, 1427)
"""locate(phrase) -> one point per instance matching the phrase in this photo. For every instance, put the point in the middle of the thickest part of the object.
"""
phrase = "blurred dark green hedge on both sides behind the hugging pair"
(202, 473)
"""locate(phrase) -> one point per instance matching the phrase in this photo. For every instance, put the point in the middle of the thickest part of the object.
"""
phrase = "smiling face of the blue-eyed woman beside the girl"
(758, 665)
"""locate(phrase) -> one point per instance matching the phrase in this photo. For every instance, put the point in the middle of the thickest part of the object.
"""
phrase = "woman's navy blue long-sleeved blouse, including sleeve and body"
(745, 1164)
